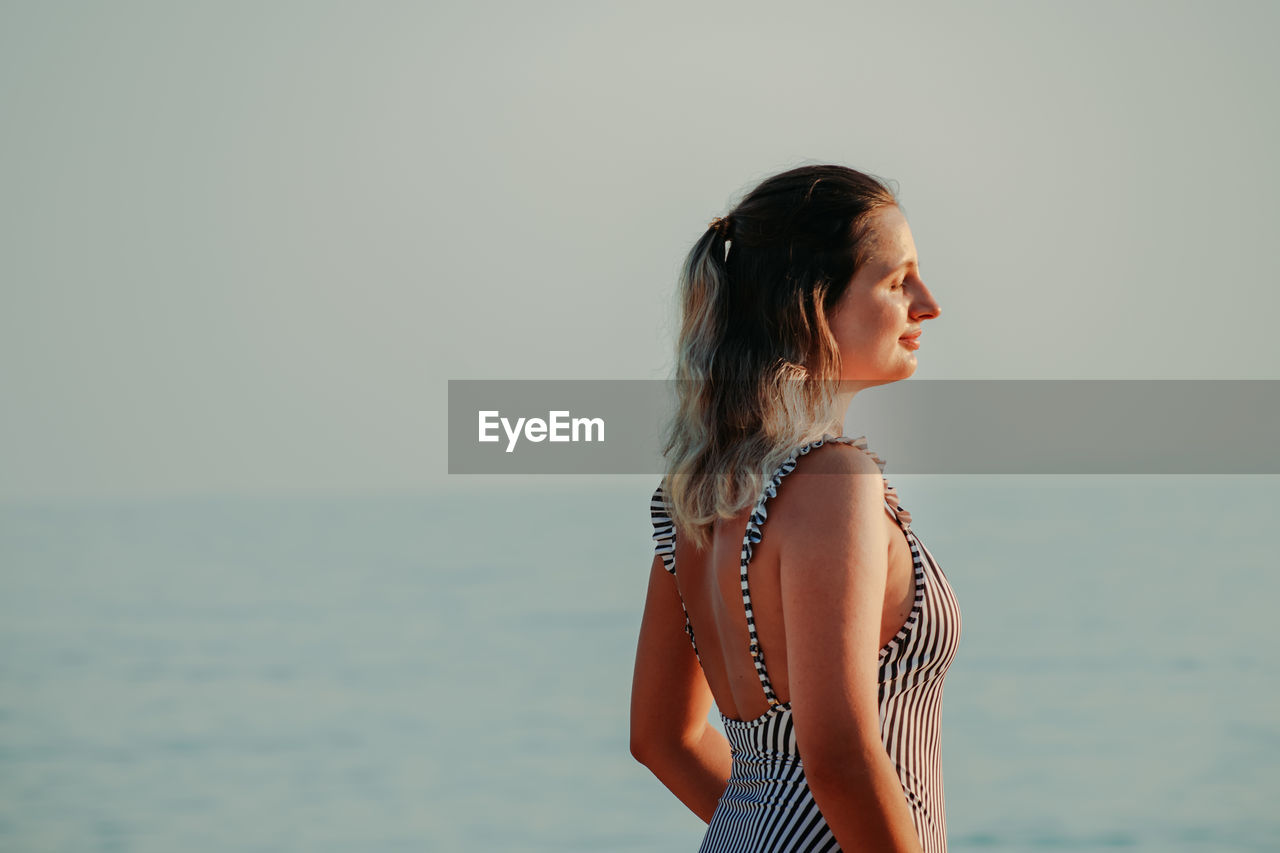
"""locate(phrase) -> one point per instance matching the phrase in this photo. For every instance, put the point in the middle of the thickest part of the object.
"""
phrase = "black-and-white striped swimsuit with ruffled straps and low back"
(767, 805)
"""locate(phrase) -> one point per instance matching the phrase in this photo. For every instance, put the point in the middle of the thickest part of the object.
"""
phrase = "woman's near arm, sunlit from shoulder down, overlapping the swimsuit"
(835, 560)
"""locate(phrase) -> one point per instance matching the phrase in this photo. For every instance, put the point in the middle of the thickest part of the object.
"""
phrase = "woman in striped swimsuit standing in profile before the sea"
(836, 647)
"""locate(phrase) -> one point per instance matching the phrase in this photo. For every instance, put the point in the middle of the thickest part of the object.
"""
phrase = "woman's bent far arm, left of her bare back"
(670, 701)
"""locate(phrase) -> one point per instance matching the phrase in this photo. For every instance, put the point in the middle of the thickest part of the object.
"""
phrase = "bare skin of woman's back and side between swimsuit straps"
(711, 586)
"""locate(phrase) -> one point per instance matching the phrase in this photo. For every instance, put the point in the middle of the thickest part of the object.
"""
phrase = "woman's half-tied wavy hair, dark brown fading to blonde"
(757, 364)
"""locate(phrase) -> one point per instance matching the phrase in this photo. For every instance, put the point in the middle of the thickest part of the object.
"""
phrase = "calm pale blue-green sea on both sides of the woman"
(452, 674)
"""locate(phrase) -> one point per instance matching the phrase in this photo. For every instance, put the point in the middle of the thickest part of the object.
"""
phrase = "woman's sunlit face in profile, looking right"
(885, 303)
